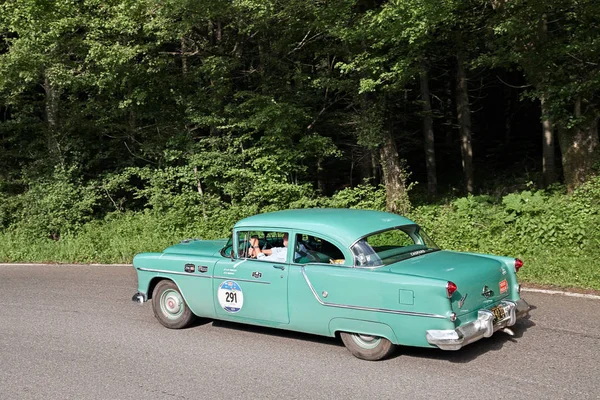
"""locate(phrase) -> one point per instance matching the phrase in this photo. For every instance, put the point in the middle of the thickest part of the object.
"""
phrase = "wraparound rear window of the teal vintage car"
(387, 247)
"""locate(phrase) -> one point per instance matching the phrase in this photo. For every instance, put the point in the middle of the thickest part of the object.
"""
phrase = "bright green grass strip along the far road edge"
(119, 239)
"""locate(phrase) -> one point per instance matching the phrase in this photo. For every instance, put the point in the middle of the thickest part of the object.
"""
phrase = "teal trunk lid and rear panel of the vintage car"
(470, 272)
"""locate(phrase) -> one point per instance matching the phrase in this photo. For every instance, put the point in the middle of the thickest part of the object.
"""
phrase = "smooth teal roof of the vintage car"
(345, 225)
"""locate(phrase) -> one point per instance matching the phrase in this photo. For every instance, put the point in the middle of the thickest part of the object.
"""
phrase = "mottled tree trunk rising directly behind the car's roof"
(393, 175)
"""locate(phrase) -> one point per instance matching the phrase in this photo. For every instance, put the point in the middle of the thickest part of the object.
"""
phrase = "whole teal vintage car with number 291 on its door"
(373, 278)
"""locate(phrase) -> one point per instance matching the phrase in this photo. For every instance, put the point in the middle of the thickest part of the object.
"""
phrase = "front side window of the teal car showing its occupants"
(262, 245)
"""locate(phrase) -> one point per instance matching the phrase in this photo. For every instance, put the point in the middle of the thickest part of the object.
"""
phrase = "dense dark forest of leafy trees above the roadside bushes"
(115, 108)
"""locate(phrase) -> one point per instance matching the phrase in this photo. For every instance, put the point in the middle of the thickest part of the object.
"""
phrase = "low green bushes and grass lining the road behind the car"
(555, 234)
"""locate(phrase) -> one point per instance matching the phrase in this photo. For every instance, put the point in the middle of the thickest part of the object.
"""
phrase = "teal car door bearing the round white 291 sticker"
(252, 289)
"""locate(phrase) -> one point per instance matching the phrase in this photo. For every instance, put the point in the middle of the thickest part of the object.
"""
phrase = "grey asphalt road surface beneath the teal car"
(72, 332)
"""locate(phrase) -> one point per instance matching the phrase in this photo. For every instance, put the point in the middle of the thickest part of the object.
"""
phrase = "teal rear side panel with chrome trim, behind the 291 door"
(398, 307)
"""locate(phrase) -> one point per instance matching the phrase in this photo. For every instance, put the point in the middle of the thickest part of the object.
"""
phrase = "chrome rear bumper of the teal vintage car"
(483, 326)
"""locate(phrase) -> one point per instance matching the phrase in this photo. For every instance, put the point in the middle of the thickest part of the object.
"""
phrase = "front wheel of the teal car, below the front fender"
(169, 306)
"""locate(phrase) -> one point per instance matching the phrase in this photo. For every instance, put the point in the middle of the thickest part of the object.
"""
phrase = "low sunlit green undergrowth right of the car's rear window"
(556, 234)
